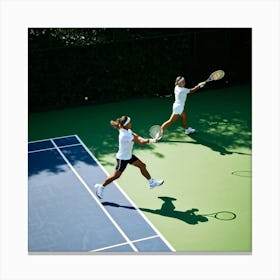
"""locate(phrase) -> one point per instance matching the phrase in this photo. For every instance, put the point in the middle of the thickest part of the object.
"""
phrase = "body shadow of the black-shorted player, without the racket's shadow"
(168, 210)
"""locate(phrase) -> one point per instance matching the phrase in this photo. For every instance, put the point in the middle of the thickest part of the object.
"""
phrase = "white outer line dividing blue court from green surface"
(132, 203)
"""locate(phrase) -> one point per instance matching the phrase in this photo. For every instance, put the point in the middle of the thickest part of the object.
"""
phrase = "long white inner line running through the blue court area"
(95, 198)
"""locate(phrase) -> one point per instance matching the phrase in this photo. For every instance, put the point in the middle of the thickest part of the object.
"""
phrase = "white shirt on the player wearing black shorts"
(125, 144)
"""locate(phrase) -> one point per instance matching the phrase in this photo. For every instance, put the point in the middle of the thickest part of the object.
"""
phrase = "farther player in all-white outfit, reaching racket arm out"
(181, 93)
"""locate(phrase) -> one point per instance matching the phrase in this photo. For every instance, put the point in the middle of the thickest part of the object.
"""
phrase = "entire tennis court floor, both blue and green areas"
(208, 172)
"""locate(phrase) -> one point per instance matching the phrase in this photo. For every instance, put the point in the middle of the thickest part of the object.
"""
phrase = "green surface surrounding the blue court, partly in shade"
(205, 173)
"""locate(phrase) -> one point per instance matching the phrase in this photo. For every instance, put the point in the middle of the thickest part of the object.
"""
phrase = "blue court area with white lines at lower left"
(65, 215)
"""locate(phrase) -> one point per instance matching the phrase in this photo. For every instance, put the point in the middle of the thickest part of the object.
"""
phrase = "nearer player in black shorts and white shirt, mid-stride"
(124, 156)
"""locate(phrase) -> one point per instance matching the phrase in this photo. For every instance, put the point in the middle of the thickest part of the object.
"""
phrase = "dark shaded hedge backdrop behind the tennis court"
(116, 64)
